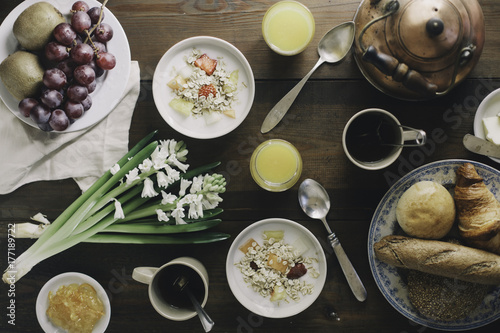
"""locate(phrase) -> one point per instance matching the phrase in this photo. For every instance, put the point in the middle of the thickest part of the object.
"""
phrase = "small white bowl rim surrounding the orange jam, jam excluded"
(42, 301)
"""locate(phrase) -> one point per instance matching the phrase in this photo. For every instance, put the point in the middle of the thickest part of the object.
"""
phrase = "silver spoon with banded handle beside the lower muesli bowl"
(315, 202)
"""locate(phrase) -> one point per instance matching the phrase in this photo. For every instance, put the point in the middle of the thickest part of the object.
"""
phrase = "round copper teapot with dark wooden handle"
(418, 49)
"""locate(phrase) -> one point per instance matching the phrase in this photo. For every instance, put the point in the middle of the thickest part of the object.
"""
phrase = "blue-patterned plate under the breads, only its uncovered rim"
(384, 223)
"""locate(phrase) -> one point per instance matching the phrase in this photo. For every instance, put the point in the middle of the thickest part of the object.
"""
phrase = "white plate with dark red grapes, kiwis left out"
(82, 79)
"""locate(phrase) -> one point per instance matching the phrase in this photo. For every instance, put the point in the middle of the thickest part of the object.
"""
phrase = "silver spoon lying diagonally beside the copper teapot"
(332, 48)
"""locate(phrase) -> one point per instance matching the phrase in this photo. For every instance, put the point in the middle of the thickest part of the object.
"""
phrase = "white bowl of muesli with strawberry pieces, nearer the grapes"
(203, 87)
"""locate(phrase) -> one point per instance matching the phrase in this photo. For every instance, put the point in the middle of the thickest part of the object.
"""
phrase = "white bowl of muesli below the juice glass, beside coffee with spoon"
(276, 268)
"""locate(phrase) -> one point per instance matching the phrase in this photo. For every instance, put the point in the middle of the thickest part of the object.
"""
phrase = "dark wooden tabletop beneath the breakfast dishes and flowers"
(314, 125)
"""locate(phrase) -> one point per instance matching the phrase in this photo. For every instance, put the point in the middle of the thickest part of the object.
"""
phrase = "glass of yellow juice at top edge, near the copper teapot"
(288, 27)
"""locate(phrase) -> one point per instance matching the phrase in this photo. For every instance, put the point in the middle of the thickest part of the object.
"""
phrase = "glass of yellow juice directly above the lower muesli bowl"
(276, 165)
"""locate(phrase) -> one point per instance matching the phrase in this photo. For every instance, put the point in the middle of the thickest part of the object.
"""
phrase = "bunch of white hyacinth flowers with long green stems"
(148, 197)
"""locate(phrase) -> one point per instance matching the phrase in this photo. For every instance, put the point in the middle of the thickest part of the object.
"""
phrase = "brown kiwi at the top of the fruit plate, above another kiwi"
(34, 26)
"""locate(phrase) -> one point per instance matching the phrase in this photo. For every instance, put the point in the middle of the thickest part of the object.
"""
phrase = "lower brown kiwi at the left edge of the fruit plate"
(22, 74)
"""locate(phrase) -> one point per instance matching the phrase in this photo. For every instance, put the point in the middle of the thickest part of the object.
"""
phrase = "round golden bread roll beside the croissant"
(426, 210)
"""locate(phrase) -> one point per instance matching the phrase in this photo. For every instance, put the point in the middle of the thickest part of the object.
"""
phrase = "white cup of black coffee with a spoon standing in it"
(162, 292)
